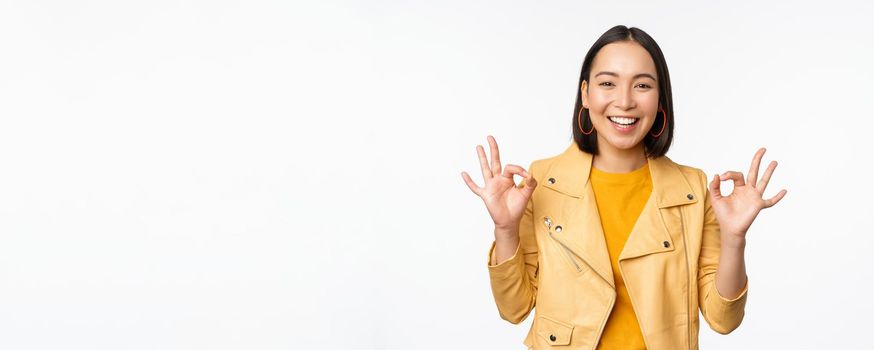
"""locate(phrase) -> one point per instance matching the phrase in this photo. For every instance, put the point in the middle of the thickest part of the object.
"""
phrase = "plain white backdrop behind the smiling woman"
(280, 175)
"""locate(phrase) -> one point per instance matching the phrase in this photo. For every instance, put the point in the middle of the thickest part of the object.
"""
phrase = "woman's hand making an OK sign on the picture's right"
(737, 211)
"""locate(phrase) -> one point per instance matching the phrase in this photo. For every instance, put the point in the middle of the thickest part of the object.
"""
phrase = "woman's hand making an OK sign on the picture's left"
(504, 200)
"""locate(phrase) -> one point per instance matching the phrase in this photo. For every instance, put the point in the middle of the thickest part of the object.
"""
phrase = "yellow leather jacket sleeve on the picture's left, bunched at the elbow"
(514, 281)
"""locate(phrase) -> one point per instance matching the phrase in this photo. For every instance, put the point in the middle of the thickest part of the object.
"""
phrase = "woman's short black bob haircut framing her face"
(655, 147)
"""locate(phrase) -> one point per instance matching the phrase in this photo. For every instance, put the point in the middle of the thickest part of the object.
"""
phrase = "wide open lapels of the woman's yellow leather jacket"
(583, 233)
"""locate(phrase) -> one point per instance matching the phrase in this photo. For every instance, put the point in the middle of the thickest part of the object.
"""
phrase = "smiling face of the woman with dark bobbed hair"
(622, 95)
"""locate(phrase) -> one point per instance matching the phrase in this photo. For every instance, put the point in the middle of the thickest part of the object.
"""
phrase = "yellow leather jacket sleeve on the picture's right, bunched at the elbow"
(722, 314)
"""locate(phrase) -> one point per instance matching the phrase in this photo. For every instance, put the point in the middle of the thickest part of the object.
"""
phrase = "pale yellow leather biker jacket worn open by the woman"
(562, 266)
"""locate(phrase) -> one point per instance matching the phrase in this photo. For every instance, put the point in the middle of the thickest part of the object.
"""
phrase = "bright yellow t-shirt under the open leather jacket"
(620, 198)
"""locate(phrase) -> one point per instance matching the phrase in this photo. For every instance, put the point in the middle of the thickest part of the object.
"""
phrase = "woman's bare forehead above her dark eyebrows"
(625, 58)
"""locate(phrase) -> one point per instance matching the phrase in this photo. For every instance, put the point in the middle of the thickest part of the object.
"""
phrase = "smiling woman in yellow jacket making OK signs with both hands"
(619, 247)
